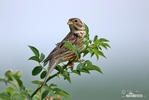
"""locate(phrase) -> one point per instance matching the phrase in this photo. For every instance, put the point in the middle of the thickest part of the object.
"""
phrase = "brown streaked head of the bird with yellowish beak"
(76, 24)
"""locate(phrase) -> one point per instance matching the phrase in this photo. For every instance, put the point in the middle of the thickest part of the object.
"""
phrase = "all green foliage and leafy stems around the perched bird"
(17, 91)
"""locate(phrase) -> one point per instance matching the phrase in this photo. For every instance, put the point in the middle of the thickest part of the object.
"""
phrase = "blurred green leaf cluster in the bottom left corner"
(16, 89)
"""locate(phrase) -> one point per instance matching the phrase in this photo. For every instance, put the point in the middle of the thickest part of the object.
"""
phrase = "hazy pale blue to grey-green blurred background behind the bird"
(44, 23)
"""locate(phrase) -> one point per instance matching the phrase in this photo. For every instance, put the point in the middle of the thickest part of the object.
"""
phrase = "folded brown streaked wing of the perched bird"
(60, 50)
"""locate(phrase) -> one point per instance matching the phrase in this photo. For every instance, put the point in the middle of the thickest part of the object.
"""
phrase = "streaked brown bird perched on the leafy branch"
(61, 53)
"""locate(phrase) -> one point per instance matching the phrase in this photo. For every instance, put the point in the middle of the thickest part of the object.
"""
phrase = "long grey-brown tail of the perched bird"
(52, 65)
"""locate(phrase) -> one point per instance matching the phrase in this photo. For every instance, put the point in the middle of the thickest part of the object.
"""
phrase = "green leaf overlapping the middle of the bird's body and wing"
(73, 48)
